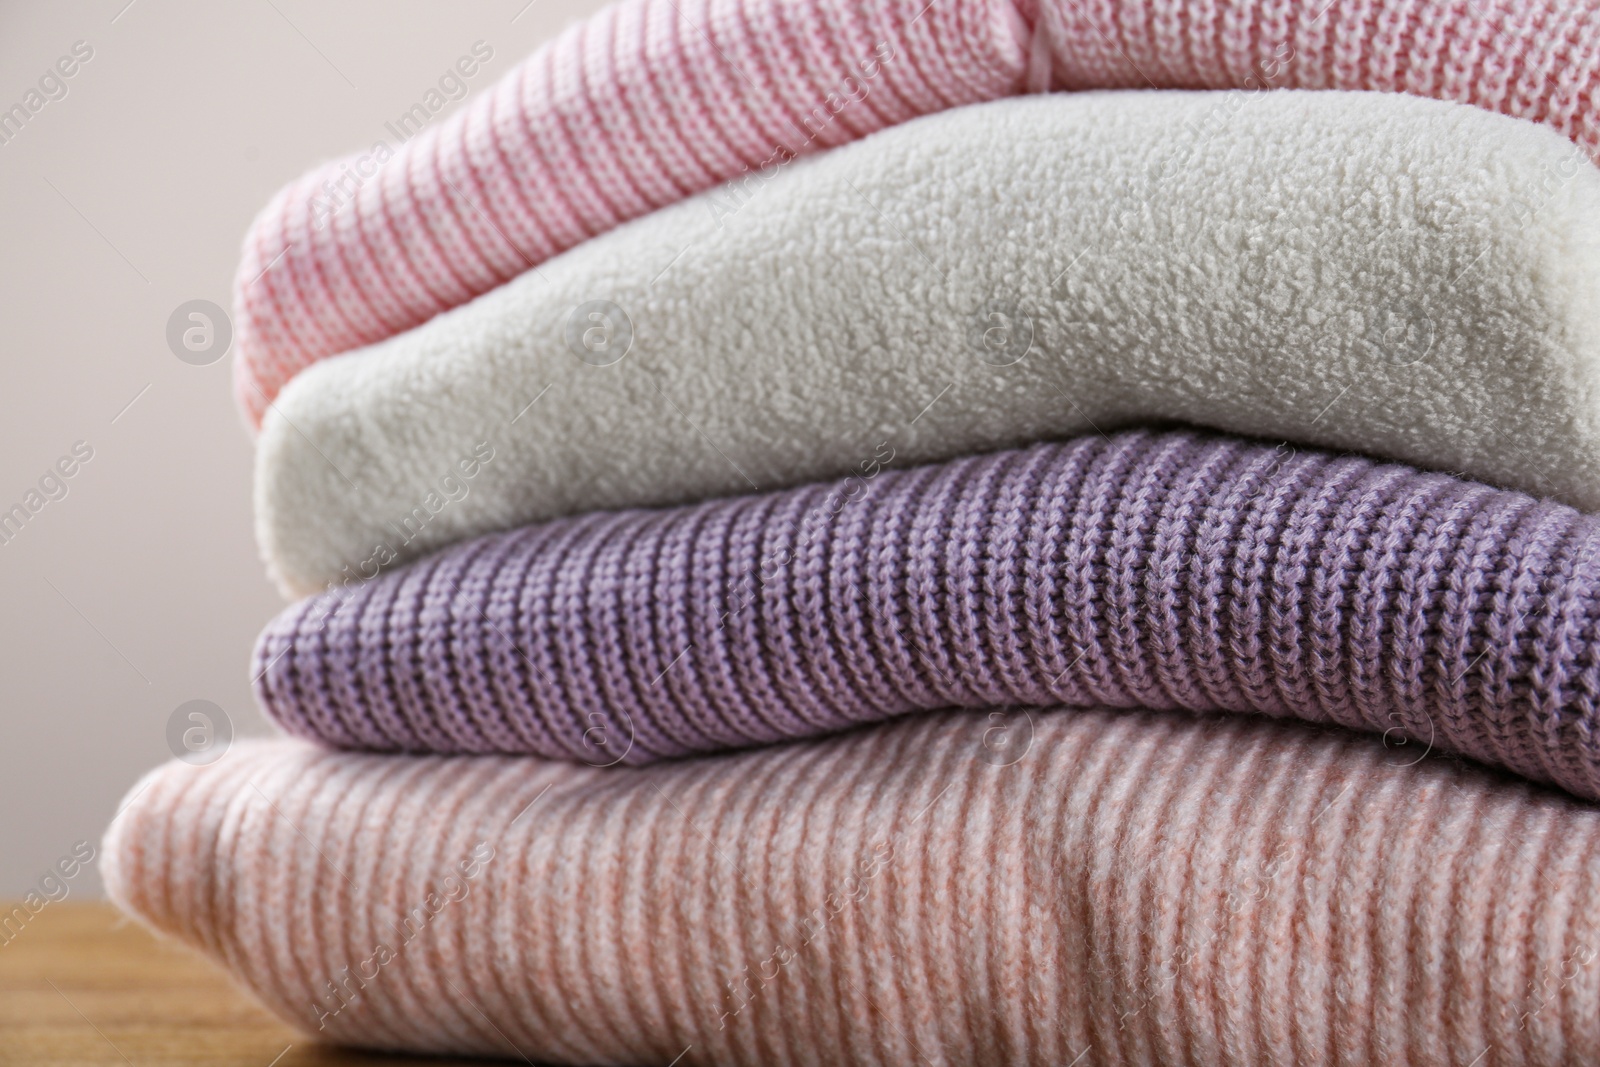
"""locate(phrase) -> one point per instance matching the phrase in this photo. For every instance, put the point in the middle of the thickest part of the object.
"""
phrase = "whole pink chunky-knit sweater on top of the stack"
(655, 100)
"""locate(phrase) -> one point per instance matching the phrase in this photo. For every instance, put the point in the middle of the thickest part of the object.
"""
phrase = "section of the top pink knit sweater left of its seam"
(631, 110)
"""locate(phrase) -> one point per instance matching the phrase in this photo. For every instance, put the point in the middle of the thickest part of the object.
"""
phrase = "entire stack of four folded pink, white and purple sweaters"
(822, 546)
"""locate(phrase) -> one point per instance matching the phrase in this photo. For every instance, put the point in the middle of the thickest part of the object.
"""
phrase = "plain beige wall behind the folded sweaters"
(138, 589)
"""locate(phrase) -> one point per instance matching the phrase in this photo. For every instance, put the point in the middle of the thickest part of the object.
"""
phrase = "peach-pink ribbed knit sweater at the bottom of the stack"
(1071, 887)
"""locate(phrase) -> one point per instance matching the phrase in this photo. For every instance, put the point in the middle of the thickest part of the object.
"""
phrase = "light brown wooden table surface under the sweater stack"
(81, 986)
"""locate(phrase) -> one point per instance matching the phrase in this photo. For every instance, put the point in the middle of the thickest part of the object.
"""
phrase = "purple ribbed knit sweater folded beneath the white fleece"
(1146, 569)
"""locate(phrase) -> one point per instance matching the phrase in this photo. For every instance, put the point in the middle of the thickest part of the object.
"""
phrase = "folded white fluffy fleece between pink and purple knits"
(1390, 274)
